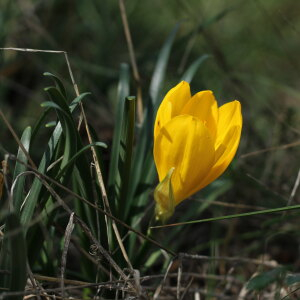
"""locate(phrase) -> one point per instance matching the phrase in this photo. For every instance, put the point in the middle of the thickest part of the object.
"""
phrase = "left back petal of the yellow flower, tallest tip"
(172, 105)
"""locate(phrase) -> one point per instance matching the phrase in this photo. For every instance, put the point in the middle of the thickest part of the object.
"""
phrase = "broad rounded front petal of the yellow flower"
(185, 144)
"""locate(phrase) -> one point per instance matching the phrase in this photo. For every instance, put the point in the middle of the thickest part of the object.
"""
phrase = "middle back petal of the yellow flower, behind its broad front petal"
(203, 105)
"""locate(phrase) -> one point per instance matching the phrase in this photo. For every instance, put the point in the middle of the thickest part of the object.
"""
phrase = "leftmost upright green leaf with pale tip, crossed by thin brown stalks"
(18, 192)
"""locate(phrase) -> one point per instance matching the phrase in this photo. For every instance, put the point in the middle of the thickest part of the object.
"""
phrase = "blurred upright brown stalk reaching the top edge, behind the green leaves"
(132, 61)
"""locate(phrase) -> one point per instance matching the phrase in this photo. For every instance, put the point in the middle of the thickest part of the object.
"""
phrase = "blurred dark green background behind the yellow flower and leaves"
(254, 57)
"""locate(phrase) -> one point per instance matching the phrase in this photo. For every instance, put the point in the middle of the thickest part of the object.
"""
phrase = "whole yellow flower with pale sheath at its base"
(194, 142)
